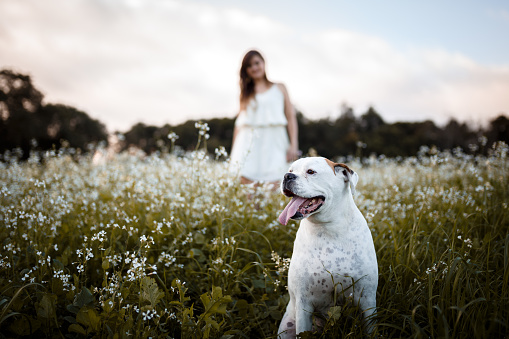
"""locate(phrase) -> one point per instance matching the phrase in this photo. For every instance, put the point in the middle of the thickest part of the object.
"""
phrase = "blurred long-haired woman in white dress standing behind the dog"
(265, 138)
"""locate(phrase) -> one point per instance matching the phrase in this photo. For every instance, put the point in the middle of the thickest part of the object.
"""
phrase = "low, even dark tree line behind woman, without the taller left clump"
(346, 135)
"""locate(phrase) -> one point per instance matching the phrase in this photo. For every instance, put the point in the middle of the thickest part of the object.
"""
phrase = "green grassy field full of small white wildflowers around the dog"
(169, 247)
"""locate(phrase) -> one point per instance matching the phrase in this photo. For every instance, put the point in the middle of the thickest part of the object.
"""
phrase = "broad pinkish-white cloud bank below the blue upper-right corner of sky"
(168, 61)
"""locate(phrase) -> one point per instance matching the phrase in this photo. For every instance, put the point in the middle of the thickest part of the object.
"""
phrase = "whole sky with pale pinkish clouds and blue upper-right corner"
(167, 61)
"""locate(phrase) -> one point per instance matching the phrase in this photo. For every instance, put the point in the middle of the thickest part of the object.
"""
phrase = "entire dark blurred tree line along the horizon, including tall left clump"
(26, 123)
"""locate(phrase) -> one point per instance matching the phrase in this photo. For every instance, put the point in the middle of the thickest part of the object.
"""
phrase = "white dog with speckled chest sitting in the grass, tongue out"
(333, 249)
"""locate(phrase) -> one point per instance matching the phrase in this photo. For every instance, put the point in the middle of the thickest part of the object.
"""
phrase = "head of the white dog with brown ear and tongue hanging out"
(314, 184)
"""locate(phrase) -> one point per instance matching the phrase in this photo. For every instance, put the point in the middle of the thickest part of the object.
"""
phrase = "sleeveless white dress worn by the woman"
(259, 150)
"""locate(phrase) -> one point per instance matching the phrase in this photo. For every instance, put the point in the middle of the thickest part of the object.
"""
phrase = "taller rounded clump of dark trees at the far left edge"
(23, 118)
